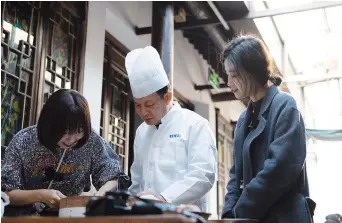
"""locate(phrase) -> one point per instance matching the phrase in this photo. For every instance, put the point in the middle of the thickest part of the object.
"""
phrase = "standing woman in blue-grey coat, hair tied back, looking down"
(267, 179)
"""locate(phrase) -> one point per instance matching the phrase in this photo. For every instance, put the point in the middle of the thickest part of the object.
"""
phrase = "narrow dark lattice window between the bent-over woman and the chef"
(115, 100)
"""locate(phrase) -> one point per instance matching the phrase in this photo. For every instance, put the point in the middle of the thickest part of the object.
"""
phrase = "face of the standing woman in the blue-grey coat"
(238, 82)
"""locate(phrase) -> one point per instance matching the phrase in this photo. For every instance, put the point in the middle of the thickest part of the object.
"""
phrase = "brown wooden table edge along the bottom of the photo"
(124, 219)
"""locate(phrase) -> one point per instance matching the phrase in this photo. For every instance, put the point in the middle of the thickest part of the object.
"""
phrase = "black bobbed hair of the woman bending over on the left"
(65, 111)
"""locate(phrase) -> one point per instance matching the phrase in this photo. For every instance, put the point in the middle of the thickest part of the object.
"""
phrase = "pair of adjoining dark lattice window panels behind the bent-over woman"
(39, 53)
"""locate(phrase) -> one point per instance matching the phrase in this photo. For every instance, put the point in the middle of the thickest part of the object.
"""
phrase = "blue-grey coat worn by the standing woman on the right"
(276, 193)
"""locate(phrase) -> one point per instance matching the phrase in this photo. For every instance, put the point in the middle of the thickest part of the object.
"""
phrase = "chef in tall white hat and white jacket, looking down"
(175, 156)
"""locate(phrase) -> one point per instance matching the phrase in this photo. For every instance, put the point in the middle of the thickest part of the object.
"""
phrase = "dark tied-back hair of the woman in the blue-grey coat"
(250, 54)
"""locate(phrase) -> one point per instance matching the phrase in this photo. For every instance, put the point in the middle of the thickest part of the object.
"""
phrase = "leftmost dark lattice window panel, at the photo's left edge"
(18, 66)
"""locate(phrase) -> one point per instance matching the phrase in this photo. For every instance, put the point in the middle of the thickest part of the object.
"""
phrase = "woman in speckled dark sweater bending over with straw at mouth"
(55, 158)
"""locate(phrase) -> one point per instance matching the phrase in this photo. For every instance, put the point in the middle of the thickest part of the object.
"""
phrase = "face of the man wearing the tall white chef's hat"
(153, 107)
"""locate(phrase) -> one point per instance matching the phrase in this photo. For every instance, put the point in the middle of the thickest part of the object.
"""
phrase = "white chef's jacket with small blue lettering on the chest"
(178, 160)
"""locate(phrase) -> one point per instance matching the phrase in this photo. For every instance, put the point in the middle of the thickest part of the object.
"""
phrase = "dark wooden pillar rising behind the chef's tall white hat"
(163, 35)
